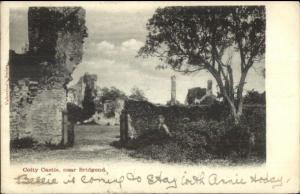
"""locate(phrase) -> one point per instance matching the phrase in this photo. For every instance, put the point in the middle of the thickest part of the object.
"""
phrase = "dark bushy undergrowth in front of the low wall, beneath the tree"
(205, 140)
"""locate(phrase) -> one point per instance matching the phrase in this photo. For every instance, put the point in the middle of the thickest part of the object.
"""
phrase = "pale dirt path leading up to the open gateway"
(92, 143)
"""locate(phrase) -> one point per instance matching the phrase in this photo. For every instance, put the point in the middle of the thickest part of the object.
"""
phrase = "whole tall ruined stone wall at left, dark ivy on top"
(56, 37)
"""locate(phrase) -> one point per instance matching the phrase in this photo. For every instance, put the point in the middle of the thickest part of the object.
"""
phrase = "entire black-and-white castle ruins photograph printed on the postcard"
(178, 84)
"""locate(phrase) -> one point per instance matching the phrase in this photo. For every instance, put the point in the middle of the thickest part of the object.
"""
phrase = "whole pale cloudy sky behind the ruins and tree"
(114, 37)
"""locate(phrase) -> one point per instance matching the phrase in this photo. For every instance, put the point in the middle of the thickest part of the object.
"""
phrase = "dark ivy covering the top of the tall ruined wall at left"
(50, 23)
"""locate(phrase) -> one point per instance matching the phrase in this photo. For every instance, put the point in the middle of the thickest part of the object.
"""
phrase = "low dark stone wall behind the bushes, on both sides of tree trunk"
(140, 116)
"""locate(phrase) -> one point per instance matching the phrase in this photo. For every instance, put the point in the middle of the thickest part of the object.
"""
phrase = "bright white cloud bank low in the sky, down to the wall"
(116, 65)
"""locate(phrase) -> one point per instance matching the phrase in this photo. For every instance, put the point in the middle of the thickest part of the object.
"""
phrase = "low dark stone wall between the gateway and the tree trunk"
(141, 116)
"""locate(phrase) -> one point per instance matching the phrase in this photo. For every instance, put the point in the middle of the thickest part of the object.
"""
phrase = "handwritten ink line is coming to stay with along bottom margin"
(185, 179)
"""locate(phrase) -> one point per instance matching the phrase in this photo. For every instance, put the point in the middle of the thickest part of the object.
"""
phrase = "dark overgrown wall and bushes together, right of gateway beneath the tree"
(198, 132)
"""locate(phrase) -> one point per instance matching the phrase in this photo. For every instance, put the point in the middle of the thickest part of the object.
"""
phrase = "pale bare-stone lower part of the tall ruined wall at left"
(39, 117)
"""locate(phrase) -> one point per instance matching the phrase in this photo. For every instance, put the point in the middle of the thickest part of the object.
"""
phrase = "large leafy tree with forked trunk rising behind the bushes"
(192, 39)
